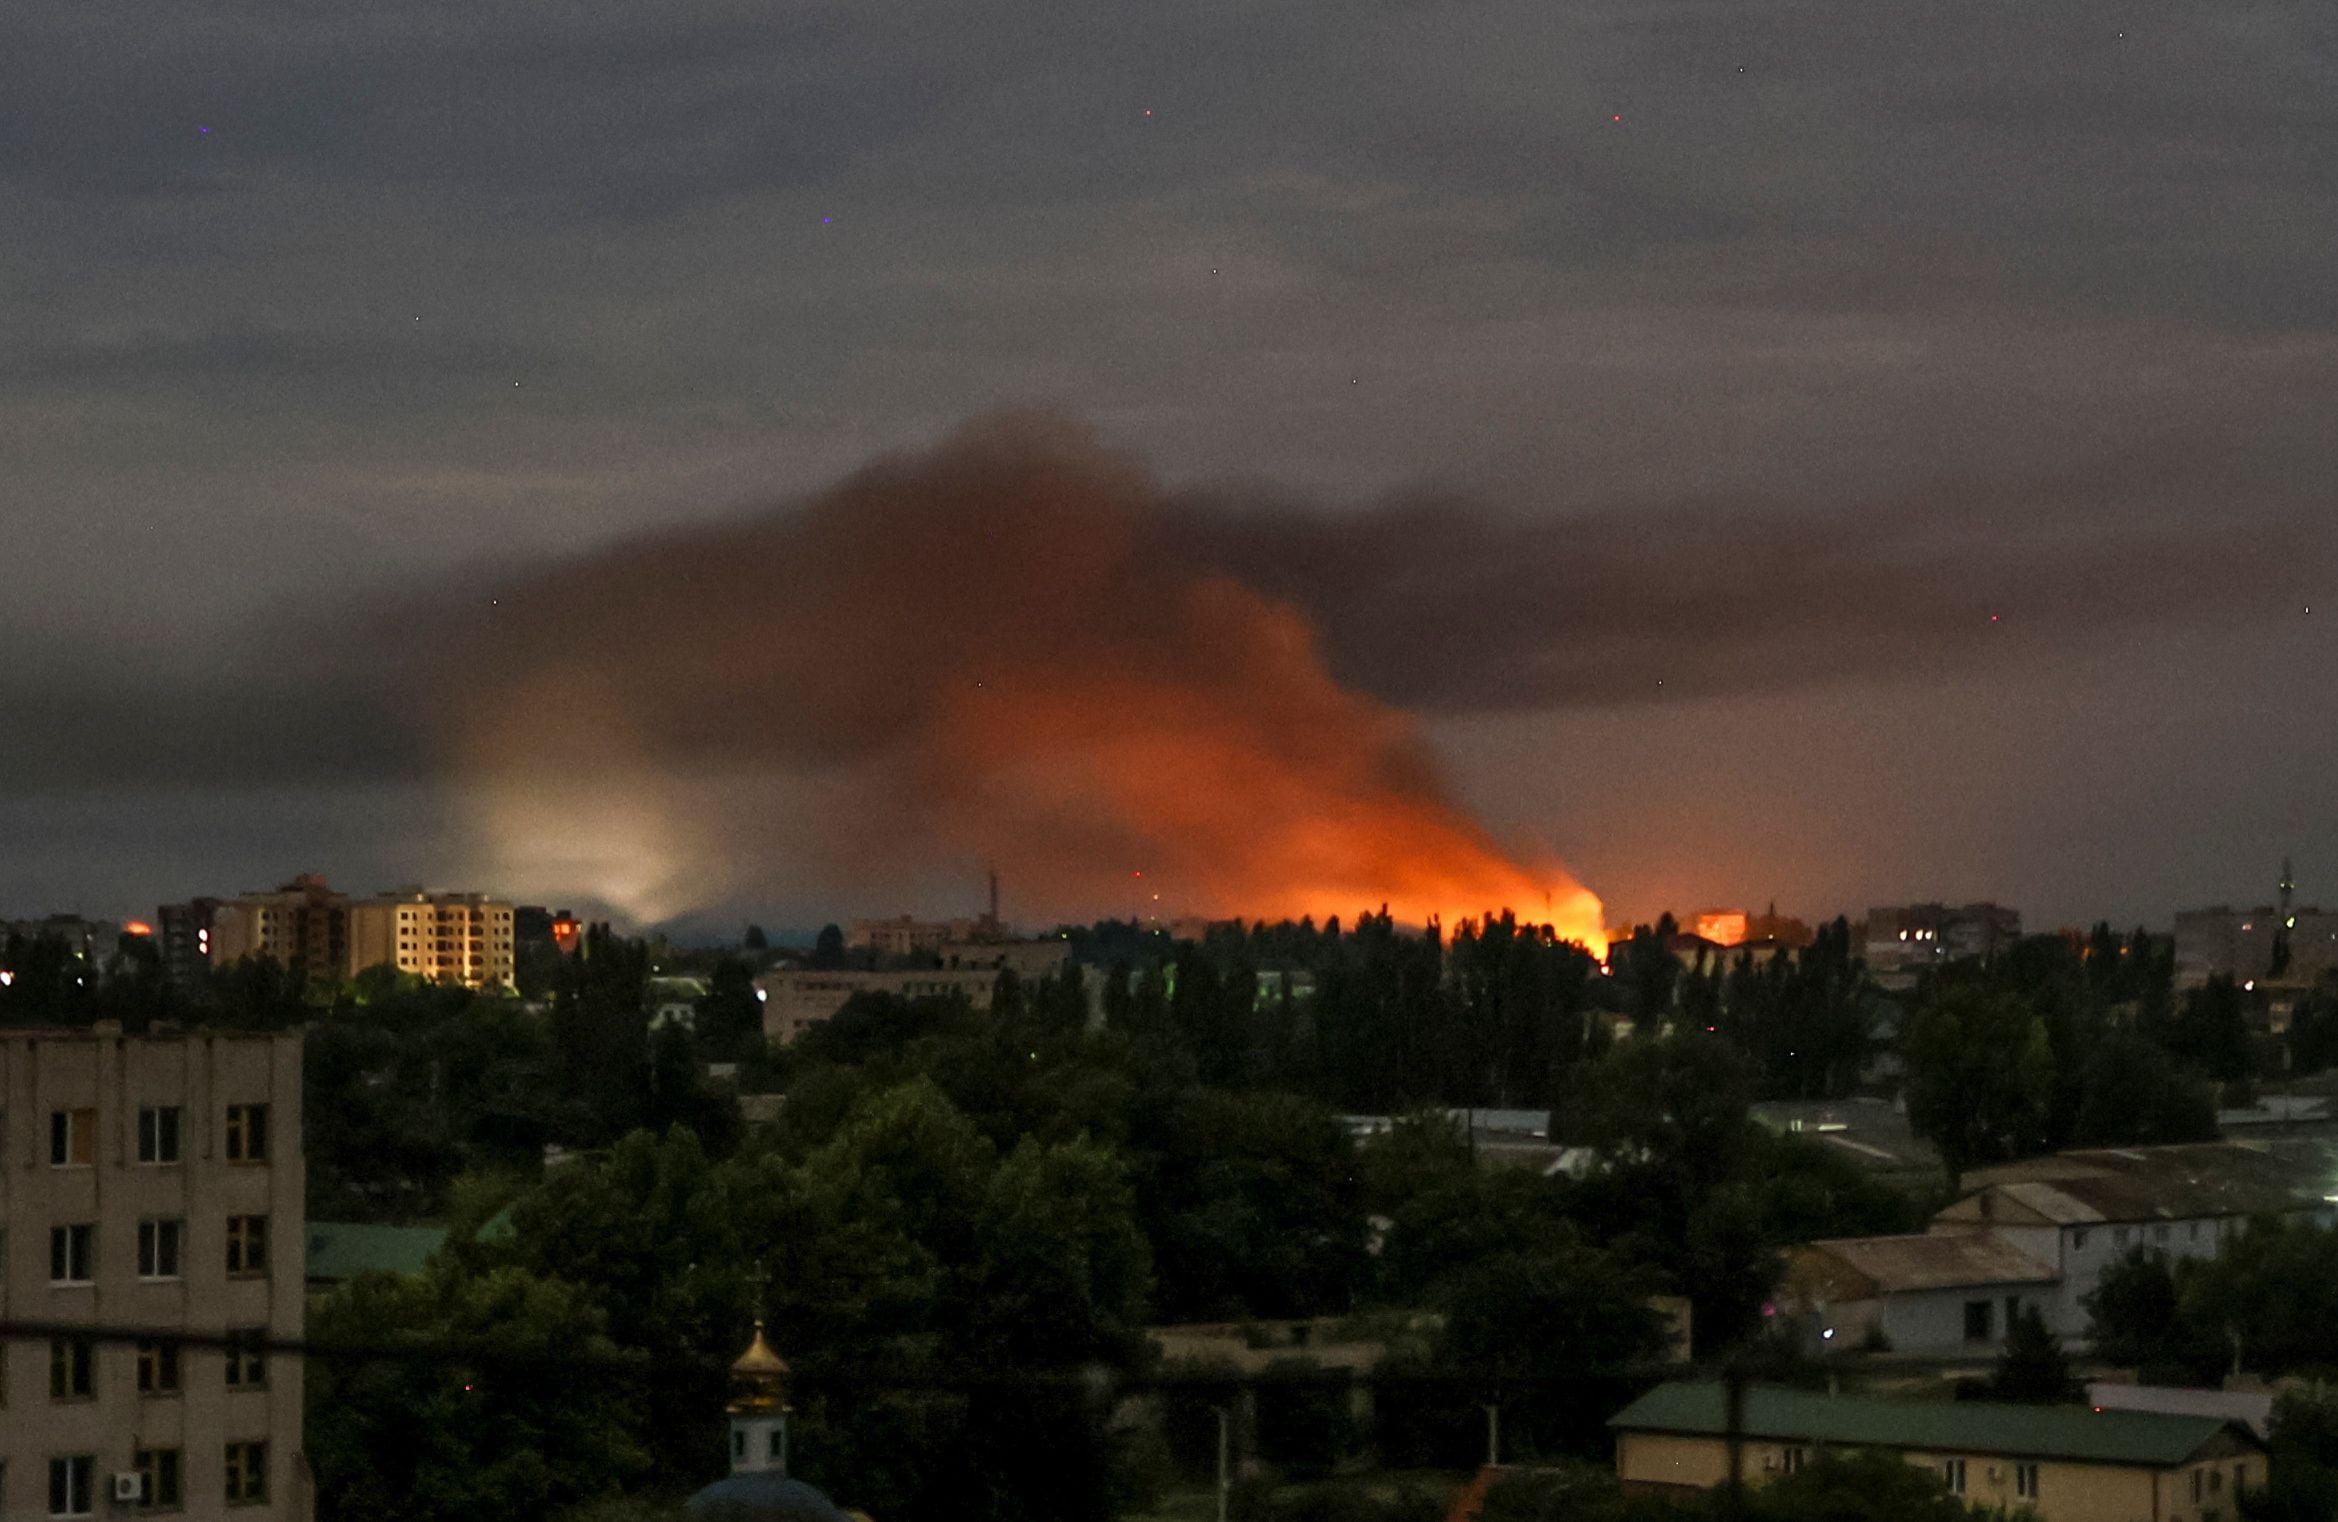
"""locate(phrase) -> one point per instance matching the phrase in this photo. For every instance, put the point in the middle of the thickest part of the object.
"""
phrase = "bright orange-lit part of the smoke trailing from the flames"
(1259, 789)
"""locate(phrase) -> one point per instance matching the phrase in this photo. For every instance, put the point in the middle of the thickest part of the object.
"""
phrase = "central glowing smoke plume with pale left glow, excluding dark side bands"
(990, 651)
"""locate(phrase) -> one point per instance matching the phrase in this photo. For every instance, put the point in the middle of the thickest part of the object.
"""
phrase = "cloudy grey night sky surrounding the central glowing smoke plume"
(1879, 455)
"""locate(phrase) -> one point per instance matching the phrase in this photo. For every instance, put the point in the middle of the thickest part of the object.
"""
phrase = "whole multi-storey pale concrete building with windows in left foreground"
(151, 1182)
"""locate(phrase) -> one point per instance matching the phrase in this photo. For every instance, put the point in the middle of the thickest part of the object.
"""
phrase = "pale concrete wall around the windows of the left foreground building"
(116, 1077)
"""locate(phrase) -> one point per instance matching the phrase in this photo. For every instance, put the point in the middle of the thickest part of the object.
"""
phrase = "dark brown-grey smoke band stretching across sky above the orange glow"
(1437, 604)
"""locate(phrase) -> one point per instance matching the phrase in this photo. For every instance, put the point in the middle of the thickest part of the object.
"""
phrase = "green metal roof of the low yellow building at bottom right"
(1956, 1427)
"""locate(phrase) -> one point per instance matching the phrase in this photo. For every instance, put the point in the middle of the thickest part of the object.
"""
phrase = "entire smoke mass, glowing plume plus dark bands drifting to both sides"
(1021, 651)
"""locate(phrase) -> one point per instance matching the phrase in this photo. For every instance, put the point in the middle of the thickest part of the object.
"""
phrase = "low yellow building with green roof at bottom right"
(2059, 1462)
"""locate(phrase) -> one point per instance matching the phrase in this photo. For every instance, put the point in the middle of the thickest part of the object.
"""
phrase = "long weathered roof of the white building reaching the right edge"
(2171, 1184)
